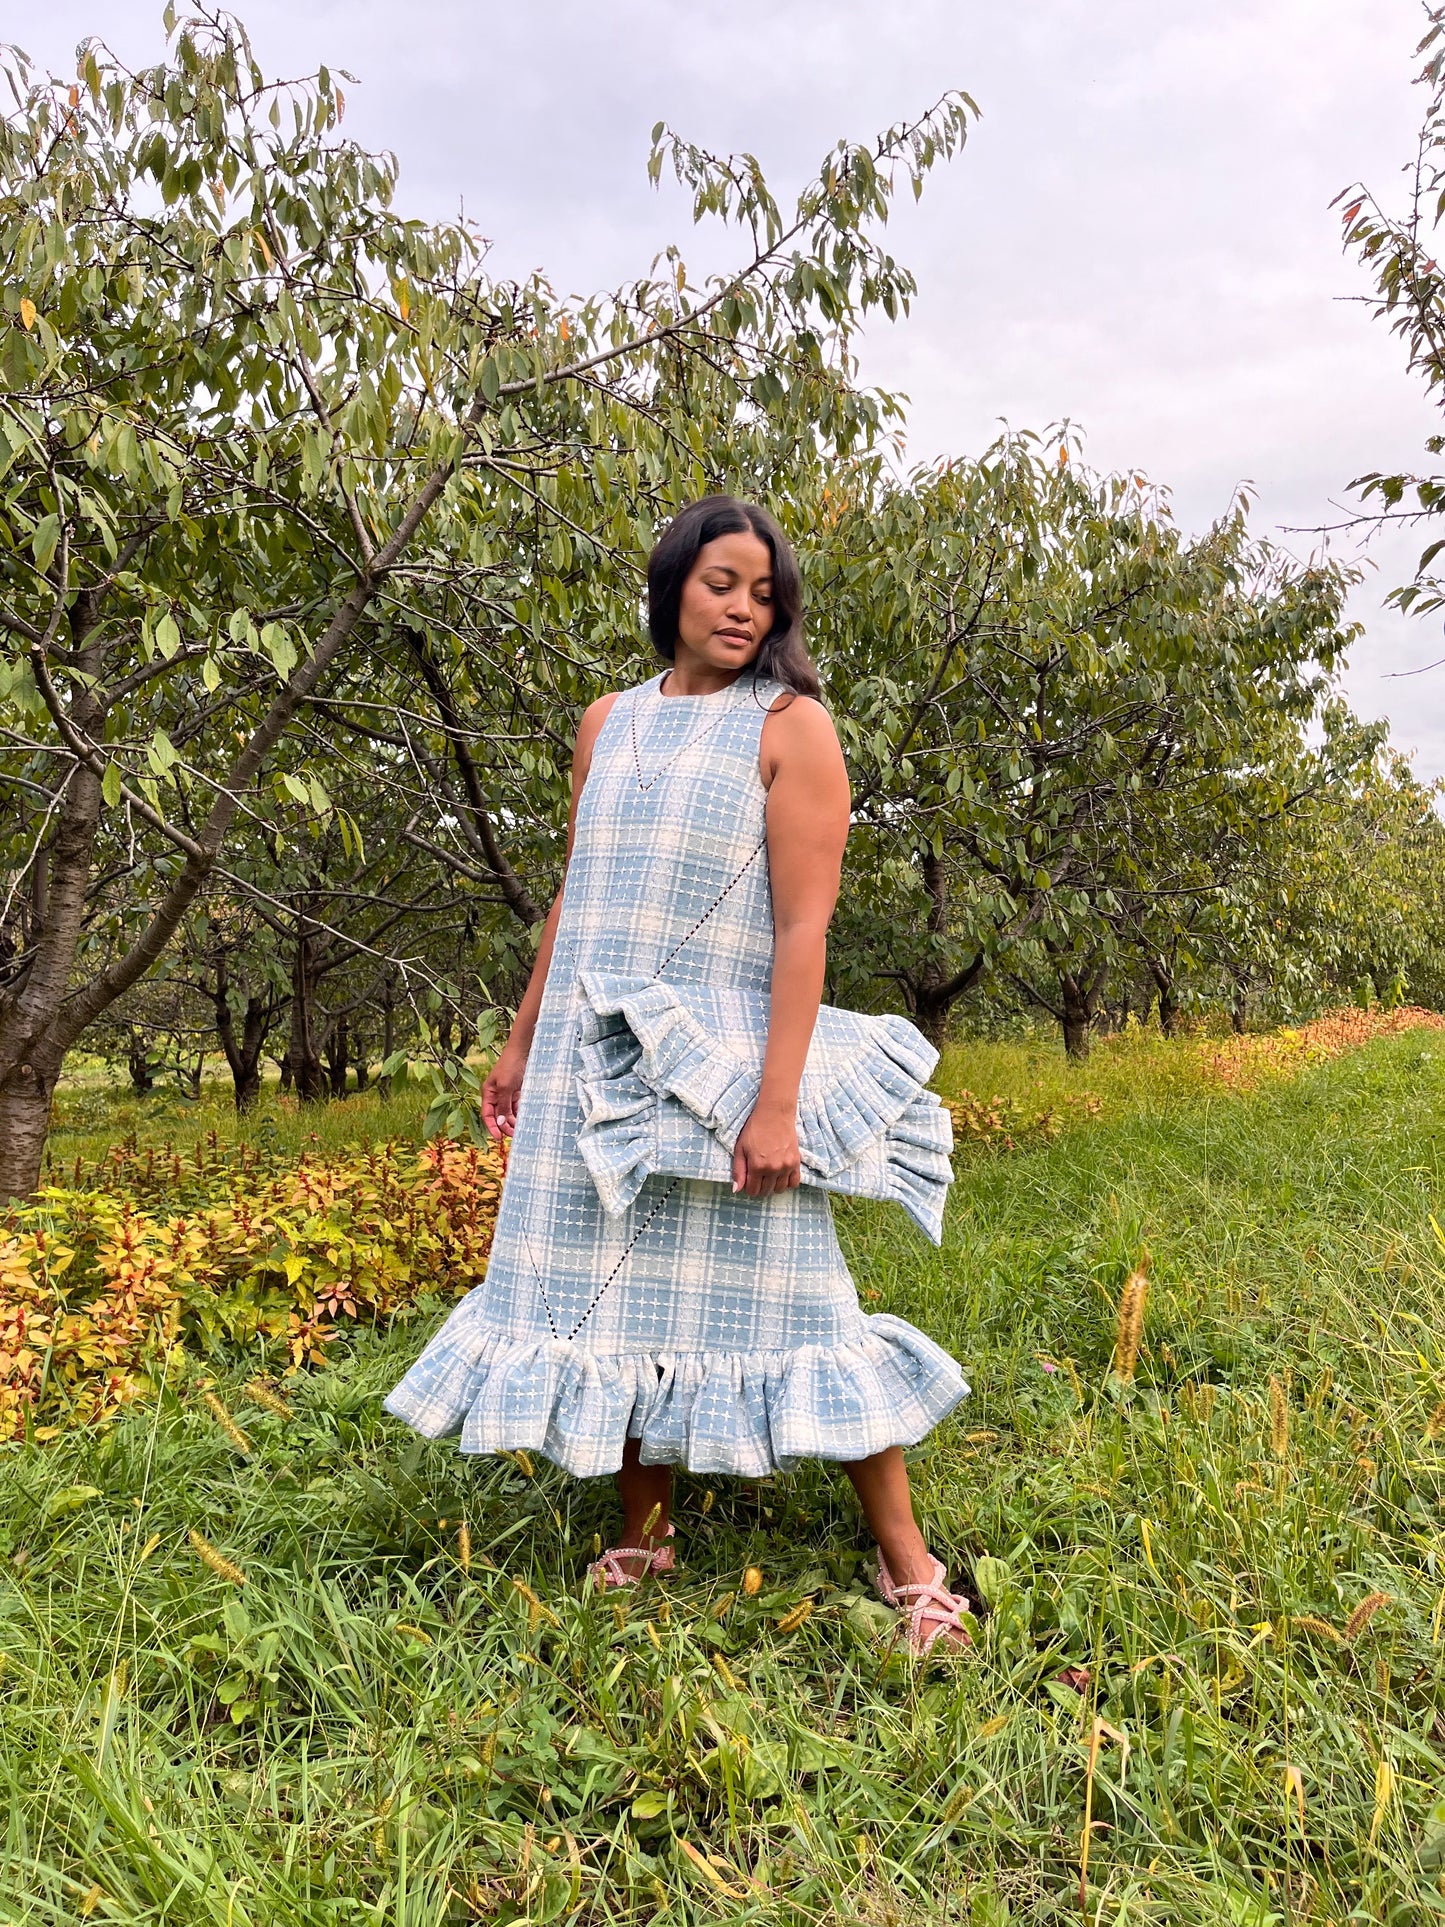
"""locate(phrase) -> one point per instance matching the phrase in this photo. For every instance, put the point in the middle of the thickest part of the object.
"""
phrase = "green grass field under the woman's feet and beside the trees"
(1217, 1595)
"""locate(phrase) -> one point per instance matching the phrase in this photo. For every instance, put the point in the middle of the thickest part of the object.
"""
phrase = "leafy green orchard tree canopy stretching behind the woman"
(319, 539)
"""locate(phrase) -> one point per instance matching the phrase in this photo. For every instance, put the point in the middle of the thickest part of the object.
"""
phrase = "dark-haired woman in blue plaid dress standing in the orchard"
(706, 1325)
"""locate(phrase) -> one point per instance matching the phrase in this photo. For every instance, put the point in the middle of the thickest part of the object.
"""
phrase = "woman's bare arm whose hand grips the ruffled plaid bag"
(806, 833)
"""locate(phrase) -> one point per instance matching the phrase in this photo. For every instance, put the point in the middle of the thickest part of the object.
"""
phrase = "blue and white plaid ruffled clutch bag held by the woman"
(670, 1074)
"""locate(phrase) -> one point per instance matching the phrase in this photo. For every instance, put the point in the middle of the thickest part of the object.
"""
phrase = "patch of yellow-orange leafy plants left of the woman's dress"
(101, 1288)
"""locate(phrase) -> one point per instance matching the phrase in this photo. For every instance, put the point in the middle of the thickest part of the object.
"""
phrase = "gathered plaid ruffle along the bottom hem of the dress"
(735, 1413)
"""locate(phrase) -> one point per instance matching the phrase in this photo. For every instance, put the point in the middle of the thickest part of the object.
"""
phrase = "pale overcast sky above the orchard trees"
(1138, 234)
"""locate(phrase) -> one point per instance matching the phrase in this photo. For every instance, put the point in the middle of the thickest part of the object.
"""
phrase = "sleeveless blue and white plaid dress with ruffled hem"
(720, 1331)
